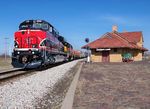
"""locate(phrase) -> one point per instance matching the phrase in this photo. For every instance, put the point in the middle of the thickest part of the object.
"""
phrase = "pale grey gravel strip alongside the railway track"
(25, 92)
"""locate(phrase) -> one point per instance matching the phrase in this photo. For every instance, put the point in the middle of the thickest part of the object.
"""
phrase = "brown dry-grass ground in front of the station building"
(113, 86)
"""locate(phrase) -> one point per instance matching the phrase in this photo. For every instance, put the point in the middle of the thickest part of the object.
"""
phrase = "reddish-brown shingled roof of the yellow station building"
(117, 40)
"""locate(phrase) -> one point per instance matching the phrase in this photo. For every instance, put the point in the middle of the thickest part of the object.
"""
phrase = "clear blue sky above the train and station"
(76, 19)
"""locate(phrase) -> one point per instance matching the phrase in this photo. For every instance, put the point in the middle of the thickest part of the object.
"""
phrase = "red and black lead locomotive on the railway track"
(38, 43)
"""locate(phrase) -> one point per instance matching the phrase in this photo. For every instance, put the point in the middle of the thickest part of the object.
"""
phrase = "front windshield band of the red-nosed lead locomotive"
(31, 25)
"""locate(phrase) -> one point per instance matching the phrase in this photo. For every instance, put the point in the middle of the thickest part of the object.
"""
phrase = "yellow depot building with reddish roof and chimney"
(112, 46)
